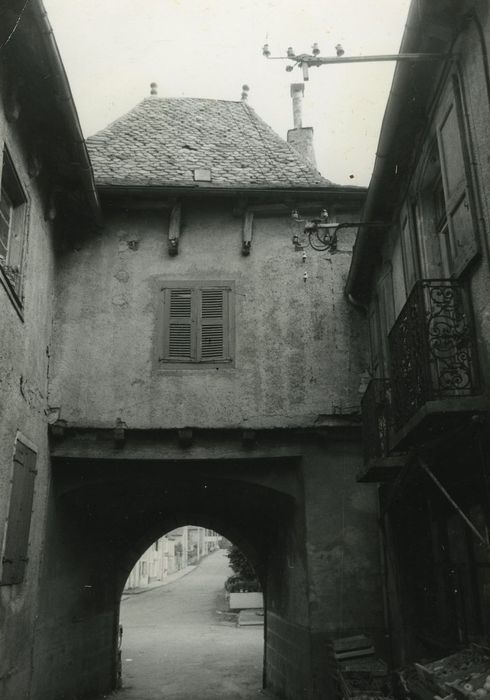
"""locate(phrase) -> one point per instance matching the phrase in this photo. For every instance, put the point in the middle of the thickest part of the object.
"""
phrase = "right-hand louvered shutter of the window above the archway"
(213, 342)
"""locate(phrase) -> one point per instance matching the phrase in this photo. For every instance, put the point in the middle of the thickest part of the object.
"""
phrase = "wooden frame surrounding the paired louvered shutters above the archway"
(164, 363)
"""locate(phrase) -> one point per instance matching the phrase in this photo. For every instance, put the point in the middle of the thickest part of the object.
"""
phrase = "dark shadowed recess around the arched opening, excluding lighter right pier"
(104, 515)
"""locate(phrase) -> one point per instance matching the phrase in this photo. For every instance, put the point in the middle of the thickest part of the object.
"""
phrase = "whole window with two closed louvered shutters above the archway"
(196, 324)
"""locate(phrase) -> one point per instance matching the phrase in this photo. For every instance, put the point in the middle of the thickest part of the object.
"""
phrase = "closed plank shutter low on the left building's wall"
(16, 536)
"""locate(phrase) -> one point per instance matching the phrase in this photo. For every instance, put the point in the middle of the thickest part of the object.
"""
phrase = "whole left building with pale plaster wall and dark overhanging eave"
(41, 150)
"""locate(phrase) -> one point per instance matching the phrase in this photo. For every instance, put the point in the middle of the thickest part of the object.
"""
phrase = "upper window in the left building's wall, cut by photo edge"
(12, 225)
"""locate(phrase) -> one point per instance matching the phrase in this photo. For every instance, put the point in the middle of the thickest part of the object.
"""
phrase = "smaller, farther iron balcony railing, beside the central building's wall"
(376, 419)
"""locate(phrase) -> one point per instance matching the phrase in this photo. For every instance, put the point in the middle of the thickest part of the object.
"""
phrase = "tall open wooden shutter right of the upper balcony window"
(463, 241)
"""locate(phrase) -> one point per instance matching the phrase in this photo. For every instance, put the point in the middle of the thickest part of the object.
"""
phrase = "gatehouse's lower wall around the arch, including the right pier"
(309, 531)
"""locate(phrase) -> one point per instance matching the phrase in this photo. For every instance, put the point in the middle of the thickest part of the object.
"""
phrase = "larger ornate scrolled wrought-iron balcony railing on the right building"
(432, 348)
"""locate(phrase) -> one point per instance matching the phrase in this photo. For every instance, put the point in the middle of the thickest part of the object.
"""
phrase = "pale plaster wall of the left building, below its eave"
(24, 358)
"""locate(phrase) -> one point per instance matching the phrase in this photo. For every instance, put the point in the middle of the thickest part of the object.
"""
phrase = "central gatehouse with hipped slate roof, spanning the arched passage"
(258, 441)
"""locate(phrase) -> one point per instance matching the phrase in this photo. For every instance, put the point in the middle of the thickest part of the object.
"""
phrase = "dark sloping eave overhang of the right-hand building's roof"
(430, 26)
